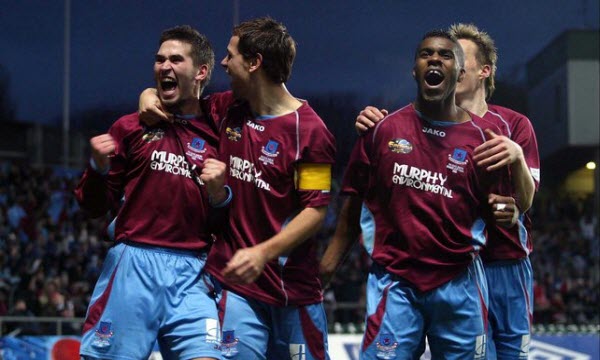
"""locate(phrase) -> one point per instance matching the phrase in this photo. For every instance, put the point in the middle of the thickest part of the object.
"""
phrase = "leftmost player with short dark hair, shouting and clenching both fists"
(153, 286)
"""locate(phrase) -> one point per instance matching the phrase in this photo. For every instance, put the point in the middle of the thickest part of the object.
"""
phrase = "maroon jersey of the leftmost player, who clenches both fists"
(164, 204)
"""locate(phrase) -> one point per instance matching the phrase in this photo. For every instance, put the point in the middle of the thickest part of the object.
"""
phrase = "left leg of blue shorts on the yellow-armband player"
(245, 325)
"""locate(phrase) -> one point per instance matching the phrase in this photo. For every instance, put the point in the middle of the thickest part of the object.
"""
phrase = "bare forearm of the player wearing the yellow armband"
(303, 226)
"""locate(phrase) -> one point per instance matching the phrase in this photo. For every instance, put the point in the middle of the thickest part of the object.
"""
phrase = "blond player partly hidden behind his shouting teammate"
(506, 256)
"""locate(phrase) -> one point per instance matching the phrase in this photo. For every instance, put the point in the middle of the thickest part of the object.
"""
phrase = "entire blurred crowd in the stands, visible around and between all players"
(51, 255)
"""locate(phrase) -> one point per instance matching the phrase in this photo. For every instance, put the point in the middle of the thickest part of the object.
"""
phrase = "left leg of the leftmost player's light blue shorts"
(117, 324)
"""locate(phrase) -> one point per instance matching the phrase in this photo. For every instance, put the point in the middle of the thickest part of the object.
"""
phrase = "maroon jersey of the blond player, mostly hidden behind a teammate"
(515, 242)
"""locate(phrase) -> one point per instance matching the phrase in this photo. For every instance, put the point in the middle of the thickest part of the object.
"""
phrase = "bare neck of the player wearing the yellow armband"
(273, 99)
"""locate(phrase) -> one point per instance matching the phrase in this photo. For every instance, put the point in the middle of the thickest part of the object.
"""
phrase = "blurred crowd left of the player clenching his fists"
(50, 252)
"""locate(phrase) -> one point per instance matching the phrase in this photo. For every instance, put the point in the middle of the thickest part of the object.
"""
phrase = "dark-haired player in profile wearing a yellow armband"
(279, 154)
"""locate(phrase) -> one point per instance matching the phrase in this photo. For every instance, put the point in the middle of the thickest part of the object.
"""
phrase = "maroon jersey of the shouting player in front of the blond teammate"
(424, 198)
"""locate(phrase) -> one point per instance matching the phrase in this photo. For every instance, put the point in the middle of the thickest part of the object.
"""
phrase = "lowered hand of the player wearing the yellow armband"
(245, 266)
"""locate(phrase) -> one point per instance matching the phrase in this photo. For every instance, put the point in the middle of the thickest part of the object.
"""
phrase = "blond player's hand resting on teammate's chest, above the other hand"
(497, 151)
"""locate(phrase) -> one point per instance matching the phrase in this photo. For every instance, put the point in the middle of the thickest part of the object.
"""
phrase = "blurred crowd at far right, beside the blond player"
(565, 261)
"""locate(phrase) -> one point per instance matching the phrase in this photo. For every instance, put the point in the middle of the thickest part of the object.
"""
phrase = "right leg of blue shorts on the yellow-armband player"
(298, 333)
